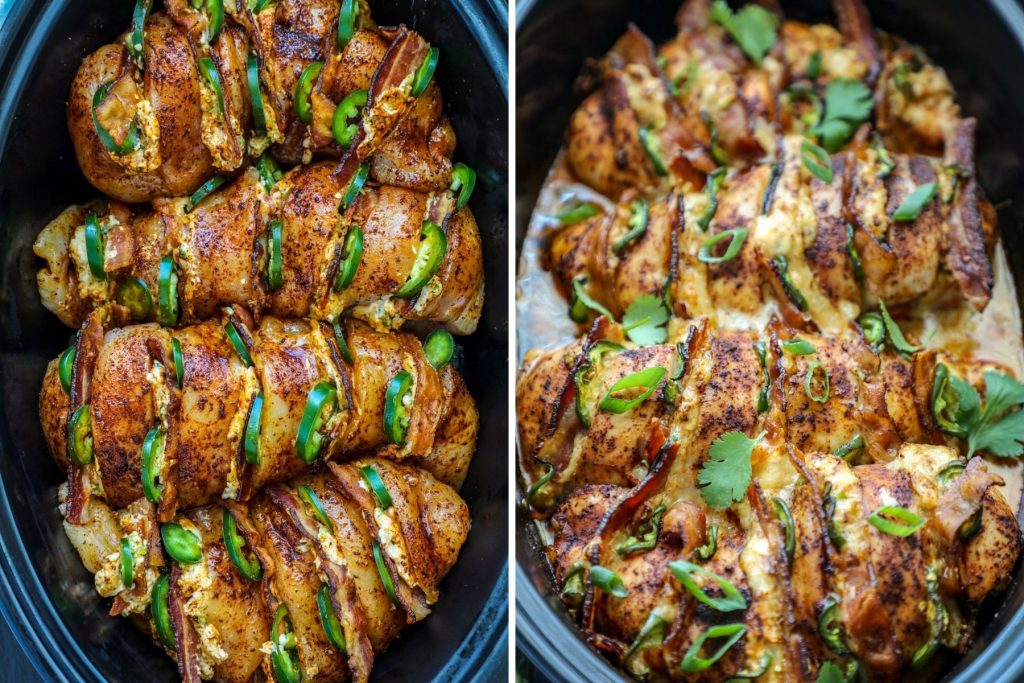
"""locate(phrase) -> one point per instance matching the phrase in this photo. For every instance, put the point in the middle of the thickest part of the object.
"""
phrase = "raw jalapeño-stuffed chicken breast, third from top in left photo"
(254, 405)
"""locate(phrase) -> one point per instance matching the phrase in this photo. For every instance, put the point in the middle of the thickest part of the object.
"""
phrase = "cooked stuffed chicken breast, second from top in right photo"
(819, 252)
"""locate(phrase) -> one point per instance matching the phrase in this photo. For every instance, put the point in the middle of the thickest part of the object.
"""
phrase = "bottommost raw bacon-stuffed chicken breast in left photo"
(320, 608)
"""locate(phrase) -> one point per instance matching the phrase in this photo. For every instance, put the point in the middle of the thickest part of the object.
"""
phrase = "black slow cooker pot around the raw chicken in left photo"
(46, 593)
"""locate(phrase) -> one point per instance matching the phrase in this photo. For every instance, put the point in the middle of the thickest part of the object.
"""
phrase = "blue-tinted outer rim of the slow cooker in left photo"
(25, 603)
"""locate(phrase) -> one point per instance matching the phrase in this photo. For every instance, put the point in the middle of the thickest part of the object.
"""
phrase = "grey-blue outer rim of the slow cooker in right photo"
(552, 643)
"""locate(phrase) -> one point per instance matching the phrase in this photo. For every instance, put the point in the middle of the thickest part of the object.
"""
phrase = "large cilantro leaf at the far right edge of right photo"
(992, 430)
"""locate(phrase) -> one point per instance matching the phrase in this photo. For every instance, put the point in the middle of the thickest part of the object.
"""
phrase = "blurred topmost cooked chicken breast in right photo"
(670, 115)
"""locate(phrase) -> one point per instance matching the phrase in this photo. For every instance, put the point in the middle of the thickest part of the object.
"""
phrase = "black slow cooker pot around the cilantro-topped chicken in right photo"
(982, 46)
